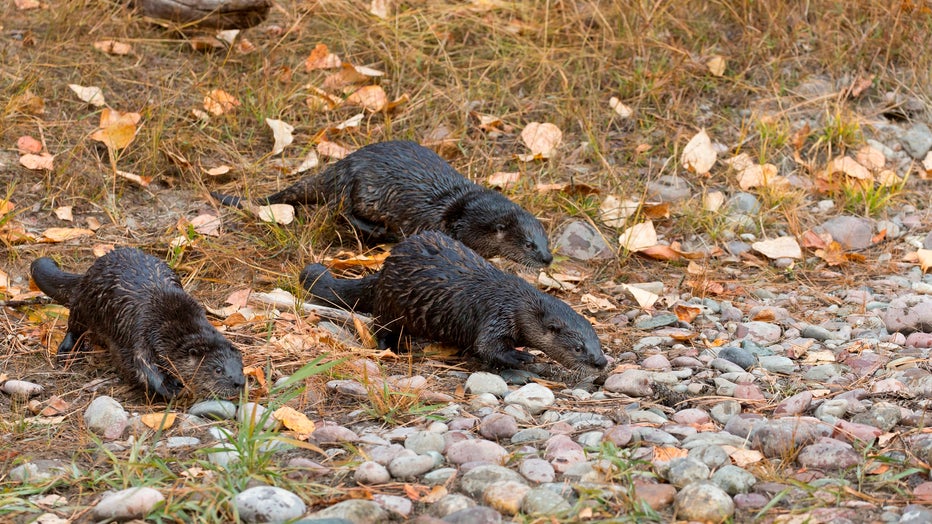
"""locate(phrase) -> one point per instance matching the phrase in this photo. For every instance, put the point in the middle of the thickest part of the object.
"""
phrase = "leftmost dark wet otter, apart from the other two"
(133, 304)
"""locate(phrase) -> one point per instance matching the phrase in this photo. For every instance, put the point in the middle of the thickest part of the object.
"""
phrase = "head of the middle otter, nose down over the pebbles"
(563, 335)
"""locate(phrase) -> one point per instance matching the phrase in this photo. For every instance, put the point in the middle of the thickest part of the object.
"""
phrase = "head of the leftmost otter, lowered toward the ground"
(217, 366)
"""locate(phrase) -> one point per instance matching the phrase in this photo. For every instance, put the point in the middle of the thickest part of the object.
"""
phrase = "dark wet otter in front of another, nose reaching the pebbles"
(434, 287)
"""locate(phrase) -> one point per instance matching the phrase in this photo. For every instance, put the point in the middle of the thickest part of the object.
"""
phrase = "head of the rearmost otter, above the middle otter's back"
(514, 234)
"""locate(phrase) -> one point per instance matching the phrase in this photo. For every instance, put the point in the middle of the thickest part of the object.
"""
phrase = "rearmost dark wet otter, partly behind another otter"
(389, 190)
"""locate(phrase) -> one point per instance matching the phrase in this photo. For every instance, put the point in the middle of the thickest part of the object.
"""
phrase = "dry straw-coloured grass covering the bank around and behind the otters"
(522, 61)
